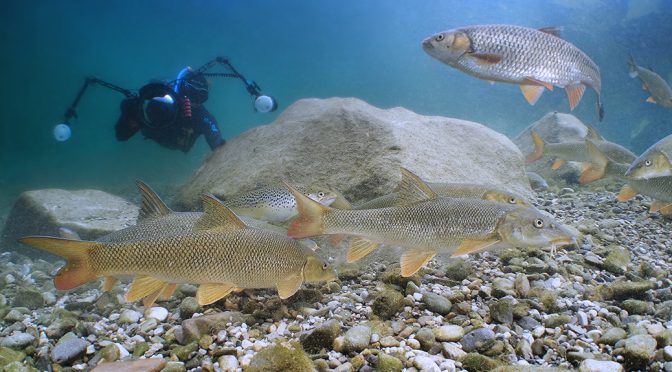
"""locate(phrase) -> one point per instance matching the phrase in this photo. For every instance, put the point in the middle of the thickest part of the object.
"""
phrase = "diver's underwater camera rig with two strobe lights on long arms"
(159, 103)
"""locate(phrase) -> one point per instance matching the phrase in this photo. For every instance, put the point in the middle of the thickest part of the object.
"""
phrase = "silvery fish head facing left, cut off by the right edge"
(656, 161)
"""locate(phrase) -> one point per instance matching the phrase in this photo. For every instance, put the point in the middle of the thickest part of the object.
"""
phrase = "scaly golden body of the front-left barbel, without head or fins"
(234, 257)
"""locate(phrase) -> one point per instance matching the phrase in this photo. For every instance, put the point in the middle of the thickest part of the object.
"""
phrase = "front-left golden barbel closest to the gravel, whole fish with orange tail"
(222, 254)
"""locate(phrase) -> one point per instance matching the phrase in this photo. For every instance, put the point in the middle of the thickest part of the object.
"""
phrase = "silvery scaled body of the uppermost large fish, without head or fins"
(547, 57)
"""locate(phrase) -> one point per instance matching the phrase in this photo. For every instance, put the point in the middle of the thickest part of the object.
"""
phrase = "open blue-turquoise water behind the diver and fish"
(293, 49)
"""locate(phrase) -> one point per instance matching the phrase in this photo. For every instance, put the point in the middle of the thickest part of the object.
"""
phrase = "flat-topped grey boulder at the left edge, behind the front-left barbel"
(90, 213)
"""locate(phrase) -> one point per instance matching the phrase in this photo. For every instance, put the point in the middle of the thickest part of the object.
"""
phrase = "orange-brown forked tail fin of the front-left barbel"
(78, 269)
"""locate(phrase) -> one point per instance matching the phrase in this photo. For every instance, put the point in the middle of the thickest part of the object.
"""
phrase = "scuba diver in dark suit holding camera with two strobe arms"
(172, 114)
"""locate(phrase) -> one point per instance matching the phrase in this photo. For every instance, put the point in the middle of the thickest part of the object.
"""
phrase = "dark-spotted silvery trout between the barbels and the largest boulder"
(275, 203)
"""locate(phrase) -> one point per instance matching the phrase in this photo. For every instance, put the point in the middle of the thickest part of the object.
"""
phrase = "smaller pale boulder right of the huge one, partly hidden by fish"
(553, 127)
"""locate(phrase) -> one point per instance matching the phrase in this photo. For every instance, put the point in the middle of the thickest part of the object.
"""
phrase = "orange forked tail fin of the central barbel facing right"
(310, 221)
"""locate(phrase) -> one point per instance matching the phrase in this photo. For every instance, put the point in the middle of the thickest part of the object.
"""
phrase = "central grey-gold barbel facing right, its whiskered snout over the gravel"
(427, 224)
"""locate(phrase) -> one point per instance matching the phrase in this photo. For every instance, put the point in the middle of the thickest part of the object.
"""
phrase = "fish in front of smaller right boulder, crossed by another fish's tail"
(576, 151)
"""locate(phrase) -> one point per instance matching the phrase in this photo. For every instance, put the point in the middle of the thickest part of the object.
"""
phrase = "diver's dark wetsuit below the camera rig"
(179, 133)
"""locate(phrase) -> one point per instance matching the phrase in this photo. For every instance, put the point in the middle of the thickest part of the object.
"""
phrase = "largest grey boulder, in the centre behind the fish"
(357, 149)
